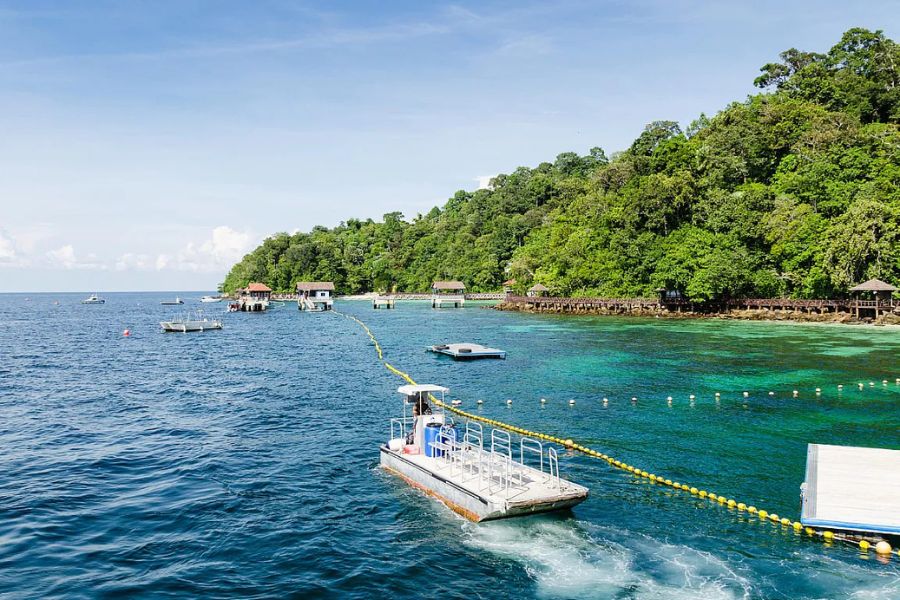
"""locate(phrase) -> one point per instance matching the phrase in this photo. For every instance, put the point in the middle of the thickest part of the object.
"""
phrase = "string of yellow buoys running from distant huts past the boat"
(881, 548)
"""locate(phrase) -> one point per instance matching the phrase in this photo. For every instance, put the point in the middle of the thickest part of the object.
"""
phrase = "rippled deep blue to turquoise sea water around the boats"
(243, 462)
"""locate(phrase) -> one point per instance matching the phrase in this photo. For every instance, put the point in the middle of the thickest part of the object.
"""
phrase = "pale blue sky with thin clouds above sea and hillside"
(148, 145)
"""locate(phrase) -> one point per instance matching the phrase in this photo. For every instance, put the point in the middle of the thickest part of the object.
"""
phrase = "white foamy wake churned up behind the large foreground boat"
(569, 559)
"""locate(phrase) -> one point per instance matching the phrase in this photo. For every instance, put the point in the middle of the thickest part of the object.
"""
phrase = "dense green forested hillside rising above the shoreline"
(795, 191)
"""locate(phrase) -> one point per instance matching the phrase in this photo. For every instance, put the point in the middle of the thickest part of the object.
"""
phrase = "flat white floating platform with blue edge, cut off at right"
(852, 489)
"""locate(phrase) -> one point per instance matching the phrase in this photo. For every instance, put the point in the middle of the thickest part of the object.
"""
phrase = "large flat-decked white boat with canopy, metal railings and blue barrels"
(479, 474)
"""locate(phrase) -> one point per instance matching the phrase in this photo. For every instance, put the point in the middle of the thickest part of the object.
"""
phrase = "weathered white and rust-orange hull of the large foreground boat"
(470, 504)
